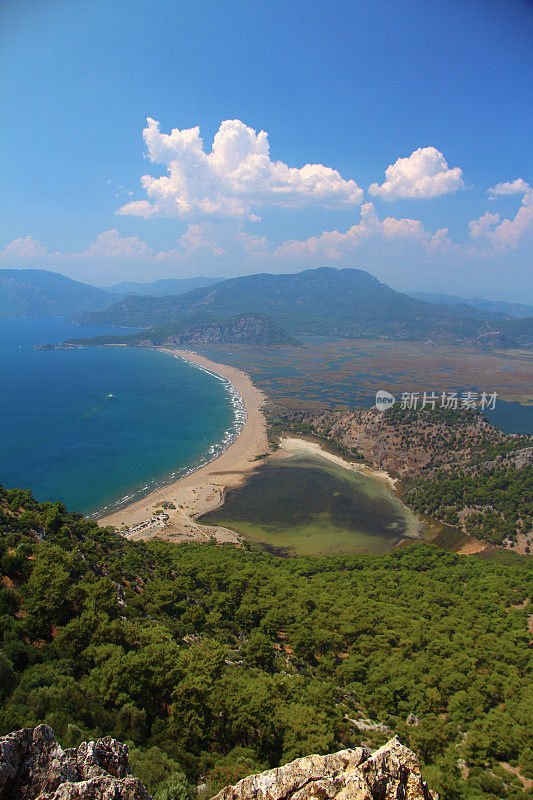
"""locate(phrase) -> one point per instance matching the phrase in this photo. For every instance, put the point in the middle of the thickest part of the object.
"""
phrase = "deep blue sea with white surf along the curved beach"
(99, 427)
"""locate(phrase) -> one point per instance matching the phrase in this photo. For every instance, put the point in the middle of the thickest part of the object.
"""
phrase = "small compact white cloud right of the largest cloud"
(425, 173)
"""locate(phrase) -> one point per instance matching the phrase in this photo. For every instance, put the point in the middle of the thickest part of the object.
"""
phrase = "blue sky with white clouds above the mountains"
(351, 87)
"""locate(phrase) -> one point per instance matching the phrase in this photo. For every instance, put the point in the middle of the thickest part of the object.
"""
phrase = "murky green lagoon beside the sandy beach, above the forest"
(304, 504)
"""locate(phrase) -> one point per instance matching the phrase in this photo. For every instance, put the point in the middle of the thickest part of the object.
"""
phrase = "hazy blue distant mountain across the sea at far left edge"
(42, 293)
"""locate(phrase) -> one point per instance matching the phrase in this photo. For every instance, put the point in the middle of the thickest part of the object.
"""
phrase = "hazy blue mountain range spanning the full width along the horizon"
(324, 301)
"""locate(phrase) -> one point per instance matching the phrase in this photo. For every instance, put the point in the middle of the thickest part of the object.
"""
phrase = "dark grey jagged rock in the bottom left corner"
(33, 766)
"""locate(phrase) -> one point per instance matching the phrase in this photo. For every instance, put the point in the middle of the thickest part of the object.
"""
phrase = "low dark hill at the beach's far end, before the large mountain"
(202, 328)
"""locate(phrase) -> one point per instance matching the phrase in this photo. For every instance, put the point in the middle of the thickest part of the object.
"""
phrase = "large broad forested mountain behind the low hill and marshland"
(347, 302)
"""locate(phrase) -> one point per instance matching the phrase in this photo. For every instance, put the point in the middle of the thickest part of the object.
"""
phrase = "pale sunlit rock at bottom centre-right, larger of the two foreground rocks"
(391, 773)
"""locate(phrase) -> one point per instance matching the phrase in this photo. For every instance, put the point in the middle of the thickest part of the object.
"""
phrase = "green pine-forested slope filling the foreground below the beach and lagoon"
(218, 662)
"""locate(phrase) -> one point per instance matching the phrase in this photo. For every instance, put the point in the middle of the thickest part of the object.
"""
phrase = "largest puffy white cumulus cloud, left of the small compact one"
(236, 176)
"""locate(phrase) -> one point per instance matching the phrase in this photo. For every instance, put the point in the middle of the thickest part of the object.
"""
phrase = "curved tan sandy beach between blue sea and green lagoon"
(203, 490)
